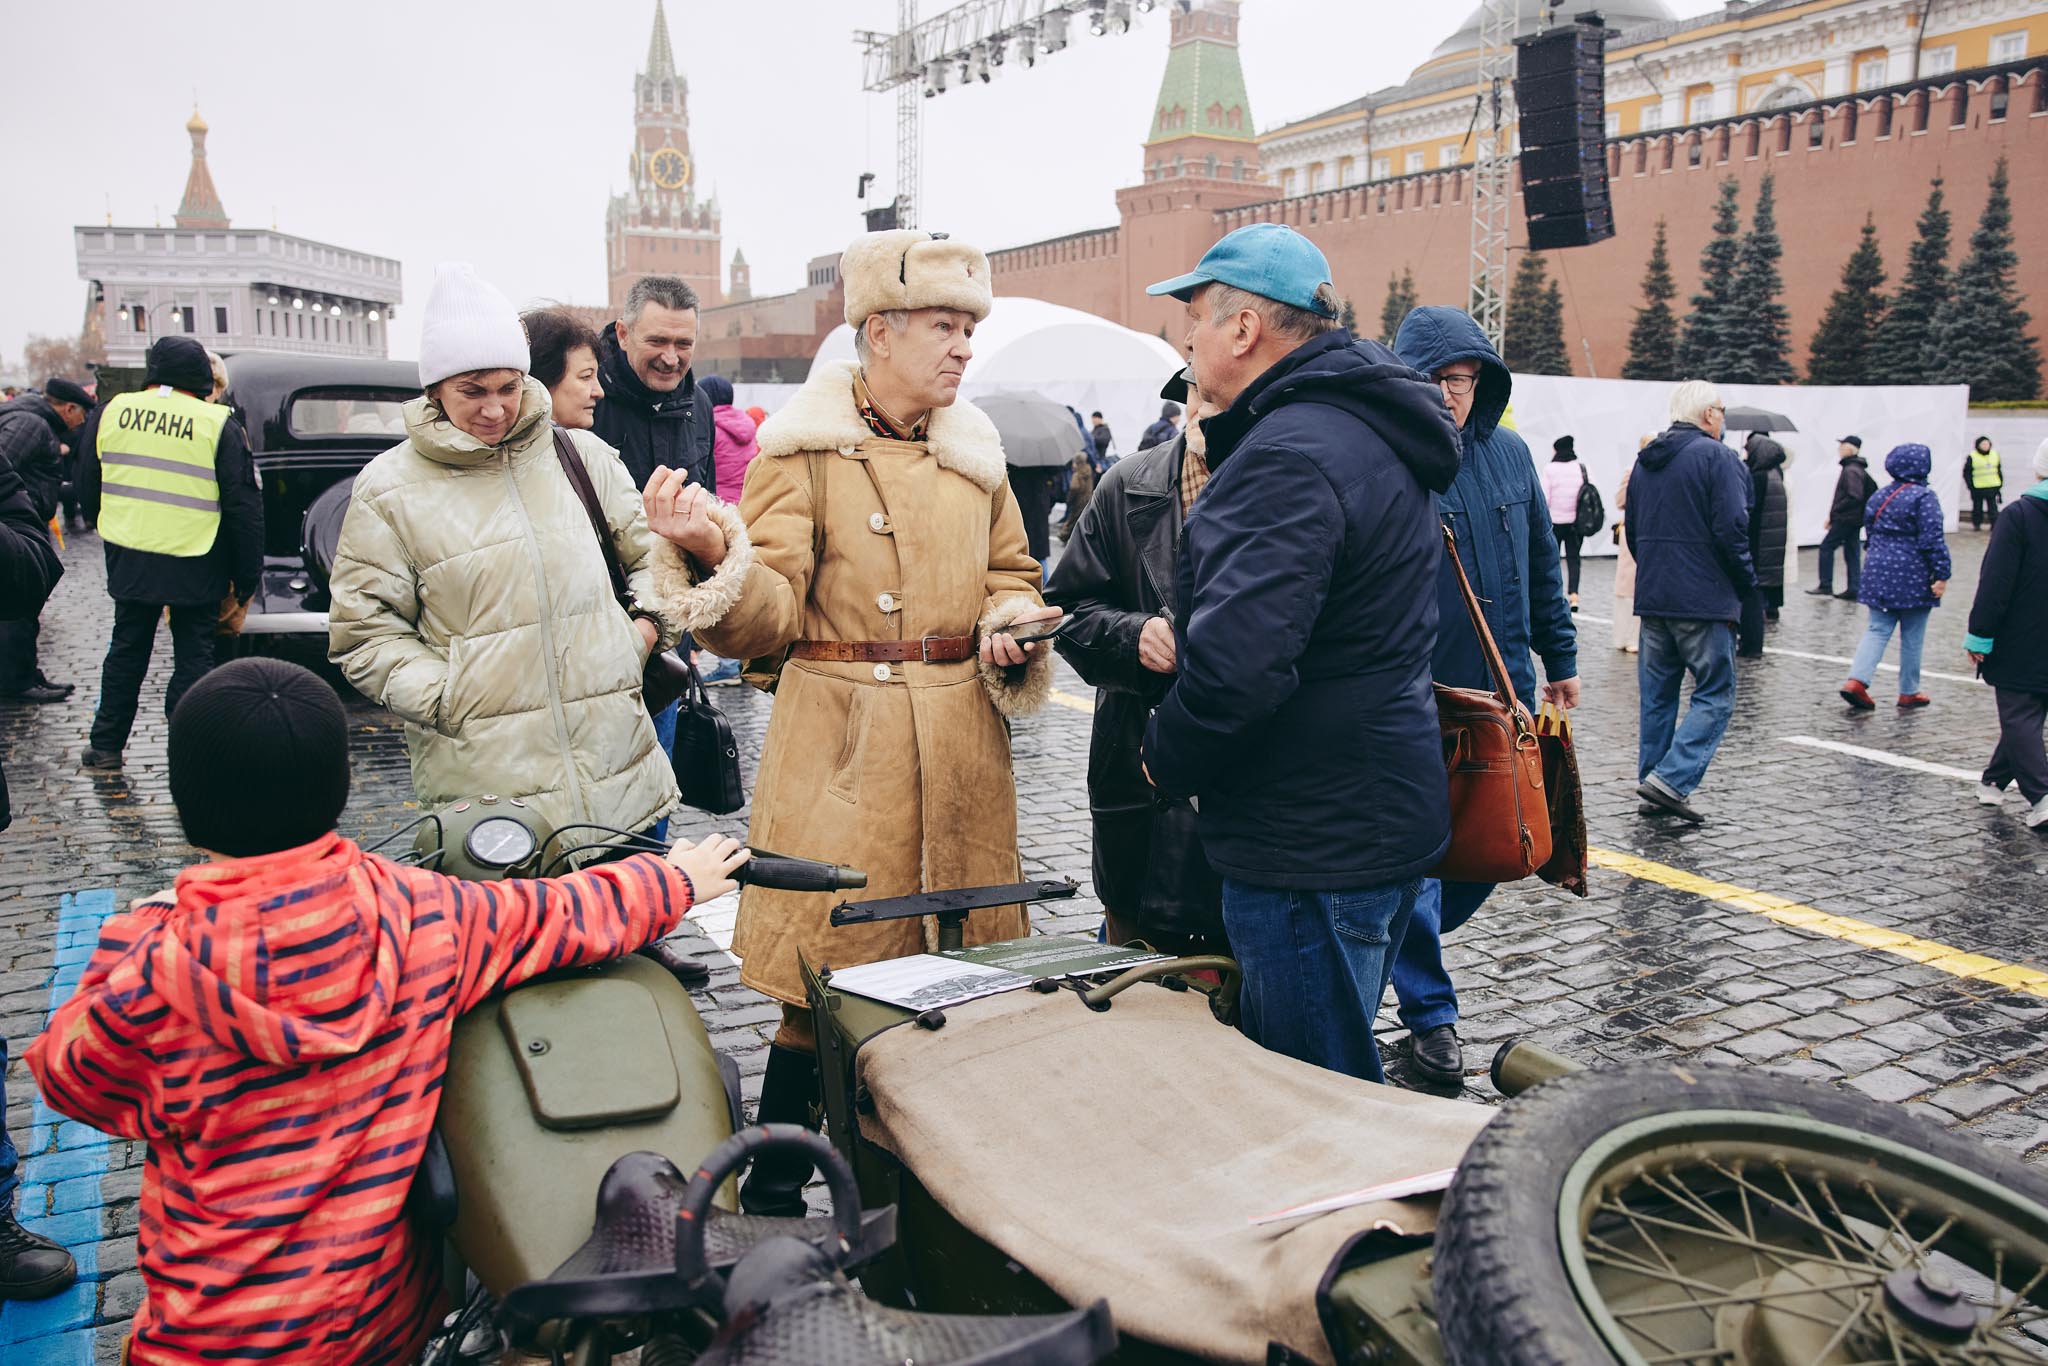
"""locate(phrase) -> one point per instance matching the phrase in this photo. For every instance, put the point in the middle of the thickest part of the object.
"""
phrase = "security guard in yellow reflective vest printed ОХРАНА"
(169, 480)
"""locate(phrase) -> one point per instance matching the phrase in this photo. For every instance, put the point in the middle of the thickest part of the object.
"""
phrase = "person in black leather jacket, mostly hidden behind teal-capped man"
(1119, 593)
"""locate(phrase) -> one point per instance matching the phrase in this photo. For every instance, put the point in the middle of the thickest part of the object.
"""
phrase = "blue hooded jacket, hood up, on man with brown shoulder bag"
(1498, 513)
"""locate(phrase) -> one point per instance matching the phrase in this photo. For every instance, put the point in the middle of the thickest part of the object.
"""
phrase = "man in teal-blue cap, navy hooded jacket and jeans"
(1302, 718)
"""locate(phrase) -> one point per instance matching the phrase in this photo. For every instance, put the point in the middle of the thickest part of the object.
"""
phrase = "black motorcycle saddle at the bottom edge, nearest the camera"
(787, 1306)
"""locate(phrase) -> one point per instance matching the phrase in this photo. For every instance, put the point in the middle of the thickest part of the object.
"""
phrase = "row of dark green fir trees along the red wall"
(1959, 325)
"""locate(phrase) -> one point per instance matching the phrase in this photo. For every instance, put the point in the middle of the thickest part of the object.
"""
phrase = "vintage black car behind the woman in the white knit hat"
(314, 423)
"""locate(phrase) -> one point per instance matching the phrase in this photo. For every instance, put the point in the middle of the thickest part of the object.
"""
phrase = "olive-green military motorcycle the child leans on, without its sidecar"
(556, 1181)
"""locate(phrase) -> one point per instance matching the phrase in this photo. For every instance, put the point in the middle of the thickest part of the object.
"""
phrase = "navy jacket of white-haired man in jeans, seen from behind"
(1689, 527)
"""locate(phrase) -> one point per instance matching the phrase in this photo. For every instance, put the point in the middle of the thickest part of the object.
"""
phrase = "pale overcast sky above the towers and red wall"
(495, 132)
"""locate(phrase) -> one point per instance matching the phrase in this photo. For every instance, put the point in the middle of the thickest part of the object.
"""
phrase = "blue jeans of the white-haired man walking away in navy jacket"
(1672, 648)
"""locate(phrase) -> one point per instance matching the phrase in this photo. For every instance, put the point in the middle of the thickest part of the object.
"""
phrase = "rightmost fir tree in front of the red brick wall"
(1981, 333)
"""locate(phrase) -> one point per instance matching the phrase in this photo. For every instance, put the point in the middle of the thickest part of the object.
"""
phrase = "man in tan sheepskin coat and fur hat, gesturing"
(880, 544)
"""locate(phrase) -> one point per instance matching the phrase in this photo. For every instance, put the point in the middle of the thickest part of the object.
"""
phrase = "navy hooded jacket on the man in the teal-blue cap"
(1302, 714)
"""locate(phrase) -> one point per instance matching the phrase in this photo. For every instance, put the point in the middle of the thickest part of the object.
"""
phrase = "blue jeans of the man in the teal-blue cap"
(1316, 968)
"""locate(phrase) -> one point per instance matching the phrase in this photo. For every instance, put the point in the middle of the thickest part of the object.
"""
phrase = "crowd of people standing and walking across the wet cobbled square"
(1267, 597)
